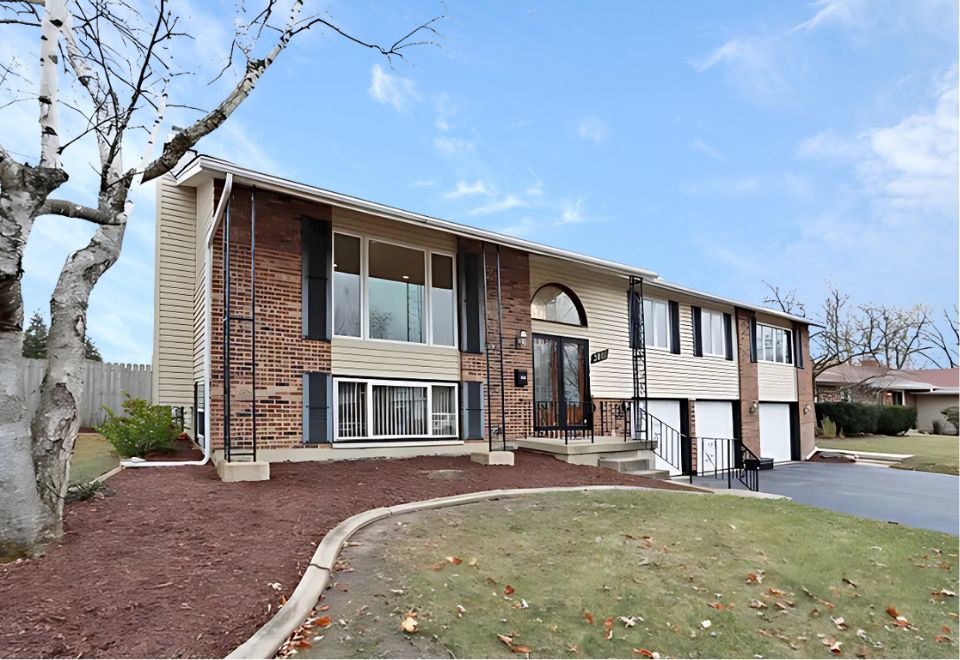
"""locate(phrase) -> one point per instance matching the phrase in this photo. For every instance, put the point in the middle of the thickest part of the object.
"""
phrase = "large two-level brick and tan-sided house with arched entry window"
(381, 332)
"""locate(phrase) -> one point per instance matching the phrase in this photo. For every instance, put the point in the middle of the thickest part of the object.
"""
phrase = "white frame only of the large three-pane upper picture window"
(365, 290)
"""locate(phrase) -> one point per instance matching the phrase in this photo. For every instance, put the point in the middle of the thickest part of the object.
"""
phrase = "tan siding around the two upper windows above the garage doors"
(686, 376)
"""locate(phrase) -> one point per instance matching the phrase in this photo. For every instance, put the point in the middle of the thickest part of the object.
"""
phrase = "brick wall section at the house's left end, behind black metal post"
(283, 355)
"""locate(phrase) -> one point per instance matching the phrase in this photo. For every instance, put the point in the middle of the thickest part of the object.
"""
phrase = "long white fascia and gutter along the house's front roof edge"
(195, 170)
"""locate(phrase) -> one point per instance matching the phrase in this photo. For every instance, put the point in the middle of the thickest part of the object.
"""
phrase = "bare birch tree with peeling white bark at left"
(112, 62)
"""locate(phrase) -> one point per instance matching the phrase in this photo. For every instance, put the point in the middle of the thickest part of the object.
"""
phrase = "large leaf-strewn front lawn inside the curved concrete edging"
(613, 574)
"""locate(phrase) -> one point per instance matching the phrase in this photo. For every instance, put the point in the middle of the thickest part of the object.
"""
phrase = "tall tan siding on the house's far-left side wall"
(174, 294)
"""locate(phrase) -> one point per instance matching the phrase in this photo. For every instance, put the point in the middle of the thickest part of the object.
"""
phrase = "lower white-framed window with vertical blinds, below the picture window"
(372, 409)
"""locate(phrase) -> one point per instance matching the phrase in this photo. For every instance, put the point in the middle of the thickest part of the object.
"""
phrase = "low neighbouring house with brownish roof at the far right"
(930, 391)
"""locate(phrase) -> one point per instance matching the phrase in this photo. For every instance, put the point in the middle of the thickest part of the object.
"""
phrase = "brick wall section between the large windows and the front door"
(515, 299)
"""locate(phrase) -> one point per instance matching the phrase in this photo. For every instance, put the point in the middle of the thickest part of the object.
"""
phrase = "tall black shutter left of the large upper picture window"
(316, 260)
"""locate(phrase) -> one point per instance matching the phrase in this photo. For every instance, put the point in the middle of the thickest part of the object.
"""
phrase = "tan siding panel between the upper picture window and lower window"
(388, 359)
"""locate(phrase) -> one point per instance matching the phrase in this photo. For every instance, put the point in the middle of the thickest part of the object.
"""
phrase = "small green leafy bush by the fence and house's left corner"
(143, 428)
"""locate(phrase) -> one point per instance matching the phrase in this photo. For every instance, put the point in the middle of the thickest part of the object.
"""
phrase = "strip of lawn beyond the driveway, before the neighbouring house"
(930, 453)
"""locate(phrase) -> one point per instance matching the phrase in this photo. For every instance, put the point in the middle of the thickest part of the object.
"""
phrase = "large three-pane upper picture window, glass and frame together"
(387, 291)
